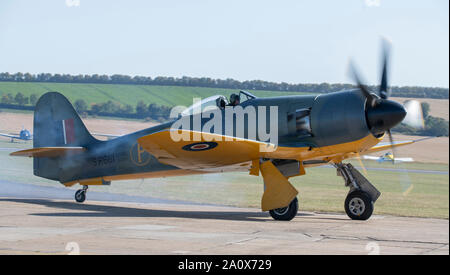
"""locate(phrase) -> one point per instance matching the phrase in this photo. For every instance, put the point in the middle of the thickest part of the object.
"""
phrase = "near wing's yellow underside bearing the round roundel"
(210, 150)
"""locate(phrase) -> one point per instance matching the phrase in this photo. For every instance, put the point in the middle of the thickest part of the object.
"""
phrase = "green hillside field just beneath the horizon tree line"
(125, 94)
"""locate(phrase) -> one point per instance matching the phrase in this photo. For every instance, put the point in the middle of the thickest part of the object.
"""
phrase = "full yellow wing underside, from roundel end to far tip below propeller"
(230, 151)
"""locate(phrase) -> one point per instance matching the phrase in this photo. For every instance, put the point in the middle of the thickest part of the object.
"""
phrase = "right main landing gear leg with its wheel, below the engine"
(362, 195)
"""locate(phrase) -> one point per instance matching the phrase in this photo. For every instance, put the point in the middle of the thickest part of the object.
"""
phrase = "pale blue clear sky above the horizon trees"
(294, 41)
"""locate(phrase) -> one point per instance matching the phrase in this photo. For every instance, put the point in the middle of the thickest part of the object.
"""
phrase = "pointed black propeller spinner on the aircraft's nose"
(385, 115)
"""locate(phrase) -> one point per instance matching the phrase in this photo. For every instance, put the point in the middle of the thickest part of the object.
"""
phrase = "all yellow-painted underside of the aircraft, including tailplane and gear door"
(232, 151)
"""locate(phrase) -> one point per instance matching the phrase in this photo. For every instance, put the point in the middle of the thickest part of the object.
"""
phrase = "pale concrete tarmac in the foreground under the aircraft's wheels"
(33, 225)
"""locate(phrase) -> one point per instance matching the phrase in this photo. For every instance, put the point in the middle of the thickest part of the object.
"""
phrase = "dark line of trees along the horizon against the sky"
(404, 91)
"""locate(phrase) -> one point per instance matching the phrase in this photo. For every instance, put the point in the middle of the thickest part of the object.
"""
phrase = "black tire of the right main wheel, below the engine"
(358, 206)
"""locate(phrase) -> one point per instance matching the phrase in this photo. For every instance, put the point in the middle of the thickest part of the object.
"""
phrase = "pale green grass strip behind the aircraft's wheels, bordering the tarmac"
(320, 189)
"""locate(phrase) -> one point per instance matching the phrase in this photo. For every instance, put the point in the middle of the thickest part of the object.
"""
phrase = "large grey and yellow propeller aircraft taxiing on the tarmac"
(313, 130)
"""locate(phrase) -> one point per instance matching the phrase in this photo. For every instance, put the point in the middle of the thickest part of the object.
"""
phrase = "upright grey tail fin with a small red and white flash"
(56, 123)
